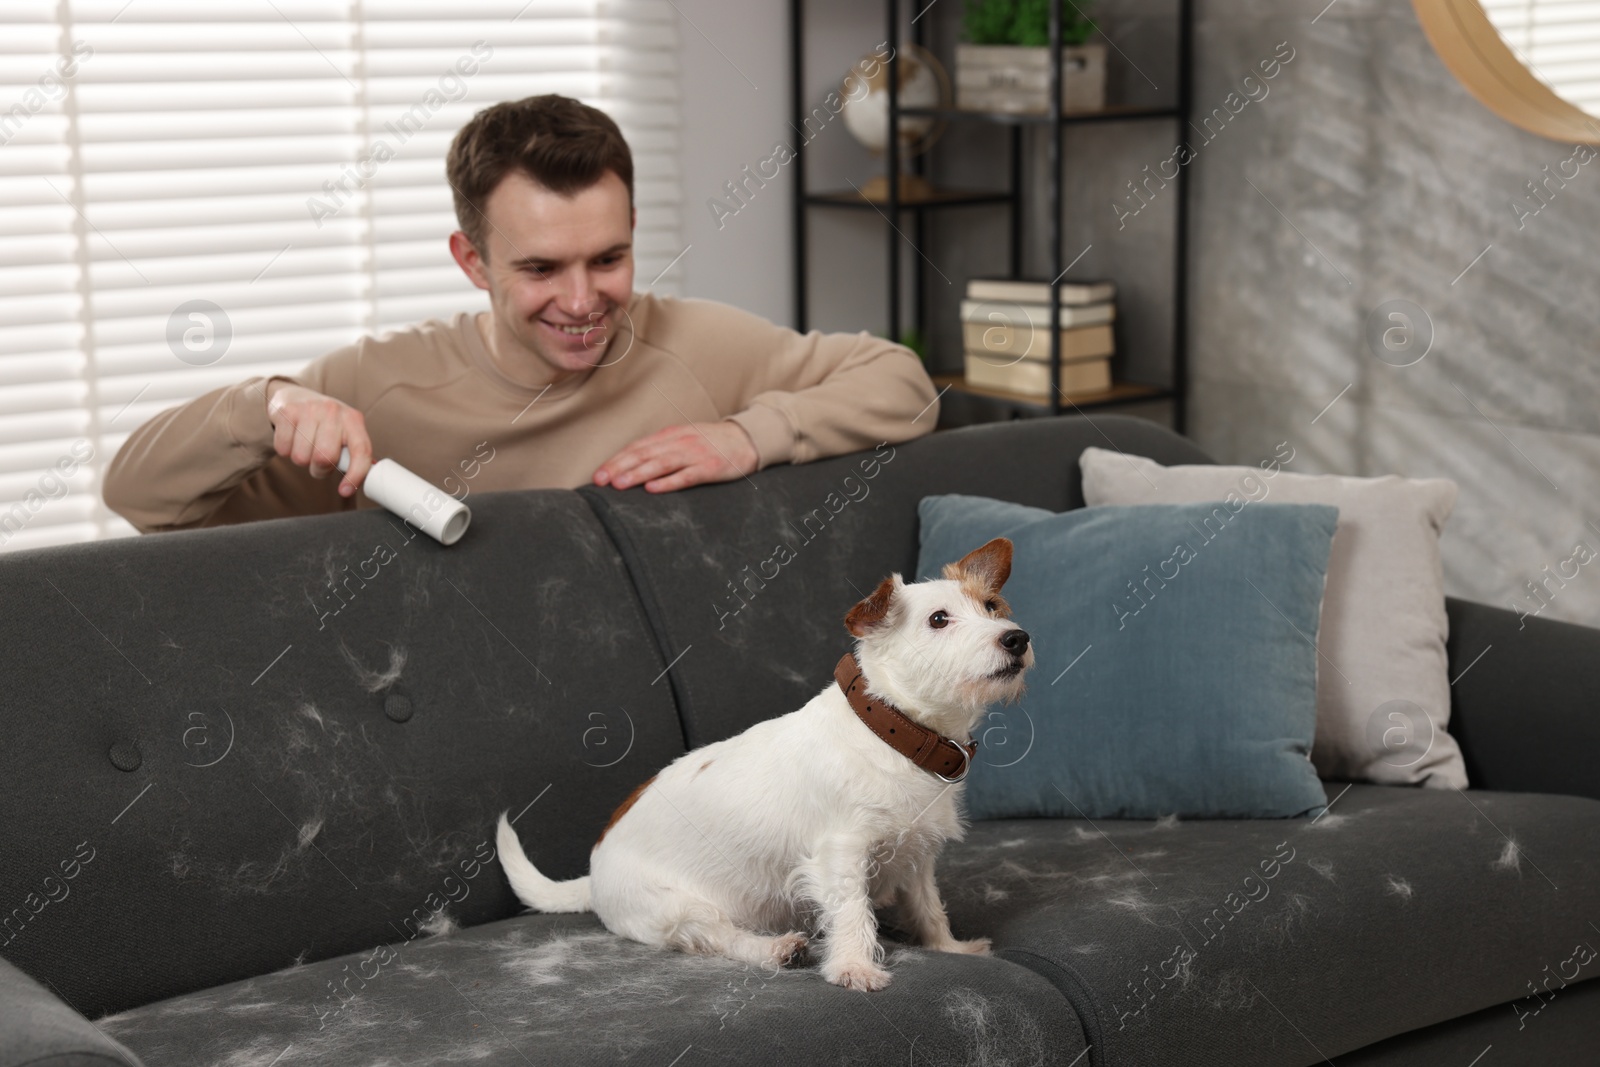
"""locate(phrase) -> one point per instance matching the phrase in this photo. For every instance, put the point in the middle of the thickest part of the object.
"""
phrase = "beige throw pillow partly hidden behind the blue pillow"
(1383, 685)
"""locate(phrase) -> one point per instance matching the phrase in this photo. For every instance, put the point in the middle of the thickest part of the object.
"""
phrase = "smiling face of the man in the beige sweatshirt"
(559, 270)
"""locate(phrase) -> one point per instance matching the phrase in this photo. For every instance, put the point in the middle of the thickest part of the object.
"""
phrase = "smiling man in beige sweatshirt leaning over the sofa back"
(569, 378)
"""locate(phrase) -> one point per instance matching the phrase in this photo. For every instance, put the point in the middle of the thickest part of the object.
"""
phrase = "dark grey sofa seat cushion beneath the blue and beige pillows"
(1276, 943)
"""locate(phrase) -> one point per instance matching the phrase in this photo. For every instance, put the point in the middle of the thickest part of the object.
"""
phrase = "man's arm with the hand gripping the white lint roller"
(226, 458)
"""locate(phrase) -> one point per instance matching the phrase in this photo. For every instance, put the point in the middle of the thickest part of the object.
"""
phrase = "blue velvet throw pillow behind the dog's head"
(1177, 669)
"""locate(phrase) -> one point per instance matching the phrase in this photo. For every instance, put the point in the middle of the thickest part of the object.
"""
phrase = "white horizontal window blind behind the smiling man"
(281, 161)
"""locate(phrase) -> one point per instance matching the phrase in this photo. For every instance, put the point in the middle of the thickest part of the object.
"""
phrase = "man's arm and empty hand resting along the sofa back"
(796, 398)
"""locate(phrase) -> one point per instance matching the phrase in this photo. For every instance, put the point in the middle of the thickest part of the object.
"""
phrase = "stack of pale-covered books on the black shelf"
(1006, 329)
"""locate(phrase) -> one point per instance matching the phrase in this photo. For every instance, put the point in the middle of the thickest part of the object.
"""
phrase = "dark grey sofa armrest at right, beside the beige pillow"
(1527, 711)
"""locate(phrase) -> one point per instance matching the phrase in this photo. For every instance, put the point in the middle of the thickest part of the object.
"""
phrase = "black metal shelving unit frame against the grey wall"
(1057, 122)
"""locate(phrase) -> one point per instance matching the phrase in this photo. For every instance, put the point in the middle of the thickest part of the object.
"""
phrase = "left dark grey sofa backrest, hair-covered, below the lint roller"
(242, 765)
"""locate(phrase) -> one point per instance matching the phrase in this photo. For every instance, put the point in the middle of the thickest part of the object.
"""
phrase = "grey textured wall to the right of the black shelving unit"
(1380, 178)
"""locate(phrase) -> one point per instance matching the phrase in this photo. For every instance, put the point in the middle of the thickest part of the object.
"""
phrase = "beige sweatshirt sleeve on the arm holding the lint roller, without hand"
(210, 462)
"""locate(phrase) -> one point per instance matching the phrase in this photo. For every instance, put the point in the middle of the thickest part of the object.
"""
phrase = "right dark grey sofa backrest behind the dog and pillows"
(750, 581)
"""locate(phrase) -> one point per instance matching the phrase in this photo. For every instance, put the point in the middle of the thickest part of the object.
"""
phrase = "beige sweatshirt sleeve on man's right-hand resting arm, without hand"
(804, 398)
